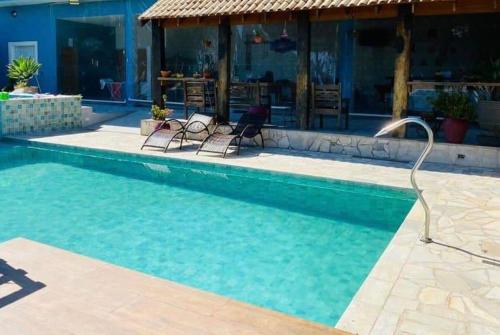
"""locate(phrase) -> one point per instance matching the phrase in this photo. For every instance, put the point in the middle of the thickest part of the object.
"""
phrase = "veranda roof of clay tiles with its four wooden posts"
(166, 14)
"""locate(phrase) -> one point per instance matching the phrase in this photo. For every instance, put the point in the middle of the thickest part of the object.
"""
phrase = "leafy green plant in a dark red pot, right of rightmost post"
(458, 111)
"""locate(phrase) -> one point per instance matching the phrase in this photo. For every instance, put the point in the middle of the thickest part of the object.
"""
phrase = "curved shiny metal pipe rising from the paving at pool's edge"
(426, 238)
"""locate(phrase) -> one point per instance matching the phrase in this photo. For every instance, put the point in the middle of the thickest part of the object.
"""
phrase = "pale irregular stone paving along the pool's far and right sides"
(451, 286)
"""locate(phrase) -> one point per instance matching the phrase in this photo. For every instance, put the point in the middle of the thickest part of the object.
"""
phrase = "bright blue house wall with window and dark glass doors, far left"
(94, 48)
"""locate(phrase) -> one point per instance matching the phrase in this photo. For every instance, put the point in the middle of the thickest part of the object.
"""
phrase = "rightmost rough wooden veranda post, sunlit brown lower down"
(402, 67)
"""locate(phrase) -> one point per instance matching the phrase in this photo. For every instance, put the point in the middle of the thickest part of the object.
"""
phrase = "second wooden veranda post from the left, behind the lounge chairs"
(224, 69)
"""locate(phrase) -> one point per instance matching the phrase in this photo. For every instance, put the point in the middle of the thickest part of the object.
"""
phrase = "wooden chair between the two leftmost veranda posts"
(199, 95)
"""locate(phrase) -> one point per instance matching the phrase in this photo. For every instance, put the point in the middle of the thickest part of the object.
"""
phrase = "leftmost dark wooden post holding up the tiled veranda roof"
(158, 61)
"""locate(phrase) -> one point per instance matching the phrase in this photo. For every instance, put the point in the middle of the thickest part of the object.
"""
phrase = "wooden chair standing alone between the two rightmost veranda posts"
(327, 100)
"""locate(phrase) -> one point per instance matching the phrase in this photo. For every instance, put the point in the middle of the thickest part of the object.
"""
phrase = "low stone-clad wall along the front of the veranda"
(369, 147)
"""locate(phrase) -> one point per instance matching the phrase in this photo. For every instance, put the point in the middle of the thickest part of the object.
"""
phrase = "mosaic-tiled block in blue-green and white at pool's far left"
(40, 115)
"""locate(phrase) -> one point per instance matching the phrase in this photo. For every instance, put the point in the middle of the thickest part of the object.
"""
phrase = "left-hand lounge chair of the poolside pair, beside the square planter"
(163, 136)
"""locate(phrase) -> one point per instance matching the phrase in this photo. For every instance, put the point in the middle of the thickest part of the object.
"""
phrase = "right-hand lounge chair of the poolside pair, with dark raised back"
(249, 126)
